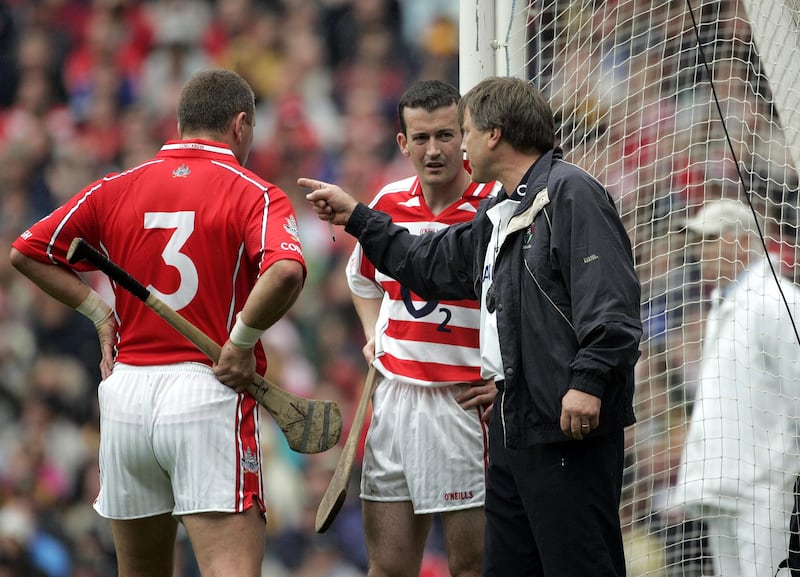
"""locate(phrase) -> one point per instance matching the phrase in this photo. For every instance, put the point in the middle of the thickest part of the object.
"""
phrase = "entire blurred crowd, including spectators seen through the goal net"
(89, 87)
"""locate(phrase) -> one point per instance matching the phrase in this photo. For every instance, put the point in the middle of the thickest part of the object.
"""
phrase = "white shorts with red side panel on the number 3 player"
(173, 439)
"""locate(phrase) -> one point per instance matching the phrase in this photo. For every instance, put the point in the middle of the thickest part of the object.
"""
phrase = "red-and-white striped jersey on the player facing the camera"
(419, 342)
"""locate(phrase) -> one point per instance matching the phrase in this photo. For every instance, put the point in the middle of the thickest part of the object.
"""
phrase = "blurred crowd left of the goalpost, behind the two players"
(89, 87)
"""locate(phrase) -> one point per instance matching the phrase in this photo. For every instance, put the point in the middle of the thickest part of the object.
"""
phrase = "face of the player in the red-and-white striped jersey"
(433, 142)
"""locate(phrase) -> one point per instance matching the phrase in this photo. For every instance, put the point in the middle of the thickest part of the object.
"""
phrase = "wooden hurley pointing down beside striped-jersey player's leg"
(334, 496)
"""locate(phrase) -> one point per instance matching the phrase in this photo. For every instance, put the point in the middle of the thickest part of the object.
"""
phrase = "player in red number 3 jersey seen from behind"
(180, 436)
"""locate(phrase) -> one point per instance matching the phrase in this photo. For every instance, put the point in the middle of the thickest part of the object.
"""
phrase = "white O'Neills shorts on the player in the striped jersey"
(423, 447)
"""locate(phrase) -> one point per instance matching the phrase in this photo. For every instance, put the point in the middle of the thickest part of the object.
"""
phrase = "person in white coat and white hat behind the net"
(741, 454)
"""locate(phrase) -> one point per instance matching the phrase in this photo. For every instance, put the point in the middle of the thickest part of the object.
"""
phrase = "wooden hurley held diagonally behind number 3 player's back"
(309, 426)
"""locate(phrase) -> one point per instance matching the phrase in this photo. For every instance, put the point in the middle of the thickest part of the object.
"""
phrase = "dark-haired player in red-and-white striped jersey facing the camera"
(426, 446)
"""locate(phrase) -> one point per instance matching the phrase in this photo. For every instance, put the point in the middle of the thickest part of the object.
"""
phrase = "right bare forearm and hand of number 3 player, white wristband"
(272, 296)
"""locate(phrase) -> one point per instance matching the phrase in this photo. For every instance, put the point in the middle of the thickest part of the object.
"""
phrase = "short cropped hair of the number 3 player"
(211, 99)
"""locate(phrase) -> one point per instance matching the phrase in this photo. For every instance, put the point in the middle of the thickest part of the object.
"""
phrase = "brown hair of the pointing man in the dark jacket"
(516, 107)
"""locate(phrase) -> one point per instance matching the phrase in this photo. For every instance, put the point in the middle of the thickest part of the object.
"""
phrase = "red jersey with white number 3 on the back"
(193, 226)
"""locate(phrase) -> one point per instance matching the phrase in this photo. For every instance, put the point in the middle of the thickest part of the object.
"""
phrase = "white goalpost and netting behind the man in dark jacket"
(669, 103)
